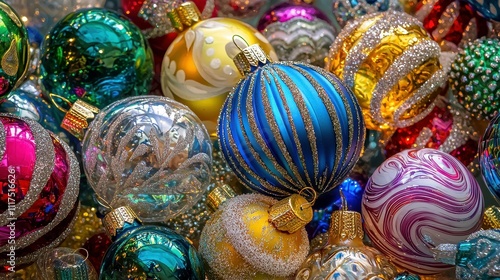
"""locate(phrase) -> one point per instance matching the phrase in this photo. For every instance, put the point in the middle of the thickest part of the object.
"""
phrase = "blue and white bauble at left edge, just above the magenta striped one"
(26, 102)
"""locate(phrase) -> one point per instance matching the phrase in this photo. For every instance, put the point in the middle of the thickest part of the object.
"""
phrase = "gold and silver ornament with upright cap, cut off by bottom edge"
(345, 256)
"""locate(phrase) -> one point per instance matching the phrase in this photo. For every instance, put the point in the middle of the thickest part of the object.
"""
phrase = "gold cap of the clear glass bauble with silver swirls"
(76, 119)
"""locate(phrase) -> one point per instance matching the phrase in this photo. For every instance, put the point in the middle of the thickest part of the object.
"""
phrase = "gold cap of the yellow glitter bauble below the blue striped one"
(291, 214)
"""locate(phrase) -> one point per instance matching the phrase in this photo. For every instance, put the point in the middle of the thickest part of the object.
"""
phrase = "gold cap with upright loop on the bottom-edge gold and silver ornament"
(345, 226)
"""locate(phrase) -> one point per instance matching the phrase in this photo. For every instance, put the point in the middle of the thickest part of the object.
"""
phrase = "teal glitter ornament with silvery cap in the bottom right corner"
(477, 257)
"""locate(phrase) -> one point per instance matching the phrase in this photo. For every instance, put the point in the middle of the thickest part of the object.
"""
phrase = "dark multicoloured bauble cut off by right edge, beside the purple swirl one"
(489, 157)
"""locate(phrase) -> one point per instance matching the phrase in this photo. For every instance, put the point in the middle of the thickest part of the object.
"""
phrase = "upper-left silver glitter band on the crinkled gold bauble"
(371, 39)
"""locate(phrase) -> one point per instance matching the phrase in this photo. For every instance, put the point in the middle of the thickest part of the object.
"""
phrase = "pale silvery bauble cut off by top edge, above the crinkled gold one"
(346, 10)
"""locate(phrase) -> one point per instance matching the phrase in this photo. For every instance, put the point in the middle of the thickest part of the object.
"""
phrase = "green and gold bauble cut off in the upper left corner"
(14, 50)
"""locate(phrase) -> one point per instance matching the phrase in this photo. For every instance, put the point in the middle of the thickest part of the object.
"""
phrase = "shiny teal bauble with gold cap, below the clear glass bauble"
(147, 252)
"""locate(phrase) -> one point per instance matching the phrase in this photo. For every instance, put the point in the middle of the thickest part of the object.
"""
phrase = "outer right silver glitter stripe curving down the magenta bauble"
(68, 200)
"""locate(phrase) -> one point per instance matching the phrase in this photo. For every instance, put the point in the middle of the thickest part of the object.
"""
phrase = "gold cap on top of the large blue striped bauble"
(250, 57)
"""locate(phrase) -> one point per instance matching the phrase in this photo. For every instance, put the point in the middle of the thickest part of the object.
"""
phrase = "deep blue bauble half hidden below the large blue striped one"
(331, 201)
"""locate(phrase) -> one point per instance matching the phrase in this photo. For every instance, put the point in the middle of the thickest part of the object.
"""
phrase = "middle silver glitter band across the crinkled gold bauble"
(404, 64)
